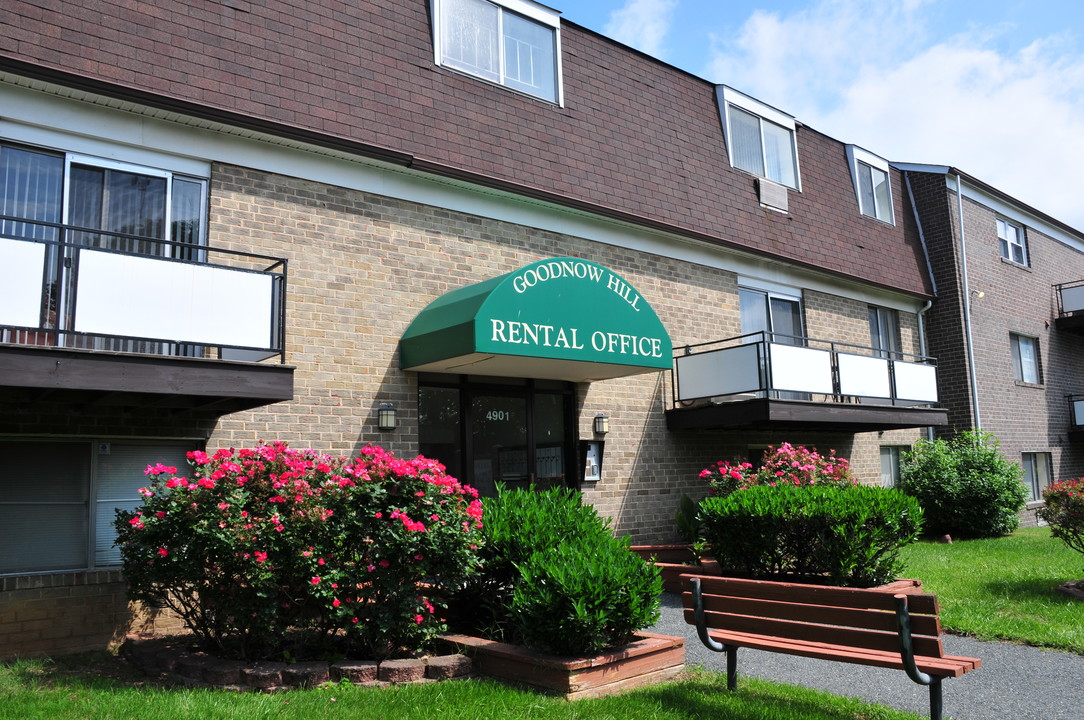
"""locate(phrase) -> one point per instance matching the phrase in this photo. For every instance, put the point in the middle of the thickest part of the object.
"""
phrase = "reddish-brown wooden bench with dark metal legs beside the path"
(867, 627)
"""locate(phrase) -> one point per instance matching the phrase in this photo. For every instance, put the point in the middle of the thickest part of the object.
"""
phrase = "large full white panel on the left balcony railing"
(148, 298)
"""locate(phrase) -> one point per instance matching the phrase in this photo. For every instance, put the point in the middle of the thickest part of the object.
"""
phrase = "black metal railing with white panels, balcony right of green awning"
(789, 368)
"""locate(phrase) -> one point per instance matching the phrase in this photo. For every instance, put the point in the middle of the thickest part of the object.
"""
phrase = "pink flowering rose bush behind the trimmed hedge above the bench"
(786, 465)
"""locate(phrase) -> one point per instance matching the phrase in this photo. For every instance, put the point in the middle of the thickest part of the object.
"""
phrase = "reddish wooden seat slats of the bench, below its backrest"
(943, 667)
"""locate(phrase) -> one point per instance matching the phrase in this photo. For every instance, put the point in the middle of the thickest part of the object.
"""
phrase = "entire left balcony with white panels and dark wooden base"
(109, 319)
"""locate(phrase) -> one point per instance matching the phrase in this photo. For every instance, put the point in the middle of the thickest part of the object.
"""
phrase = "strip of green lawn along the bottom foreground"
(33, 690)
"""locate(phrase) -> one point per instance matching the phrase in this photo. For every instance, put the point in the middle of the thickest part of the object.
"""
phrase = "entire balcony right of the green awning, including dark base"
(766, 381)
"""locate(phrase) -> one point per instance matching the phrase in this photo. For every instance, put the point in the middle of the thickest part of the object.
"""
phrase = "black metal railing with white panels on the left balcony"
(85, 289)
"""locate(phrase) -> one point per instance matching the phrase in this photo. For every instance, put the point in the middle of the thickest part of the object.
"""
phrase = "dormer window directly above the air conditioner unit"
(759, 138)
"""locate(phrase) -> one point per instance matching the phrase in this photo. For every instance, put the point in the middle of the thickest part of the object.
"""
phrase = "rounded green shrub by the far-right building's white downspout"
(965, 486)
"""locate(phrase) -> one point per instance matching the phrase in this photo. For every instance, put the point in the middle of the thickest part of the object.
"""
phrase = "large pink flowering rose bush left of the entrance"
(275, 554)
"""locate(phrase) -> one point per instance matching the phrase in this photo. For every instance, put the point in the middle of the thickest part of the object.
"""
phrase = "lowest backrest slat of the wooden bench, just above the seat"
(875, 640)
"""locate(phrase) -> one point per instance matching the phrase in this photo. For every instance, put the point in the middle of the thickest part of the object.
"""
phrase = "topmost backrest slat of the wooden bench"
(920, 603)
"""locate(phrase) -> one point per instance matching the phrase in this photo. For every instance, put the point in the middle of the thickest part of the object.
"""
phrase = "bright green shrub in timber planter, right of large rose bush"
(551, 562)
